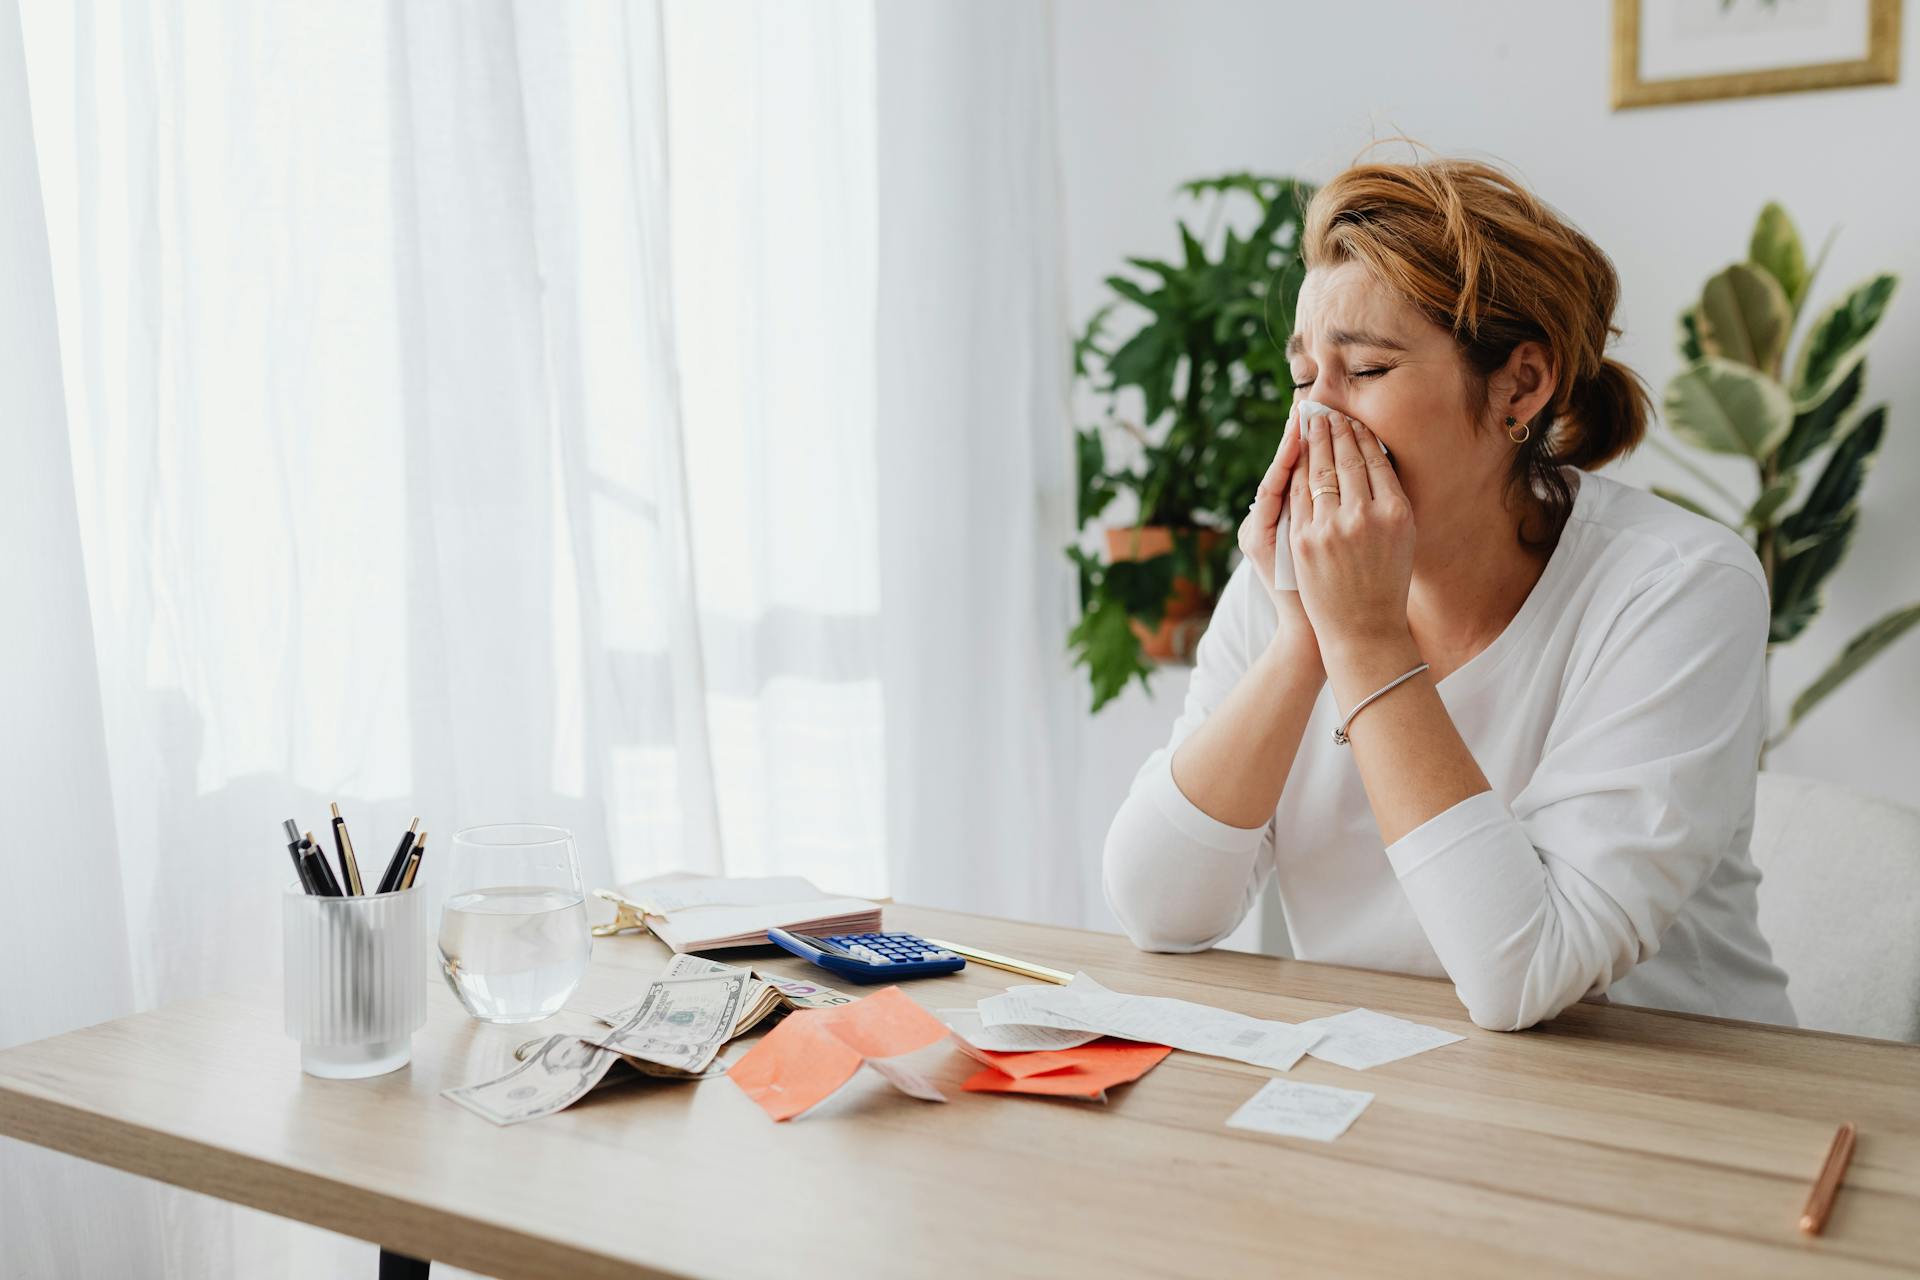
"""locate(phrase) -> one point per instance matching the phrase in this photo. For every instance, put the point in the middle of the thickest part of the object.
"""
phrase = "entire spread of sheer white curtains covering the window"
(640, 417)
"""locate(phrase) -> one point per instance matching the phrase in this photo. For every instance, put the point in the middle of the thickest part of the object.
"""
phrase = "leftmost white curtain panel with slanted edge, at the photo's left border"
(64, 959)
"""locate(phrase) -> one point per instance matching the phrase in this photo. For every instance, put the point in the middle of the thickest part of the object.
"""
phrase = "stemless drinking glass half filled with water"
(514, 932)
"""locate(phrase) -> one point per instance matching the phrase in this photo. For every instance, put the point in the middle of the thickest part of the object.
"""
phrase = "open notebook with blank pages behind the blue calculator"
(711, 913)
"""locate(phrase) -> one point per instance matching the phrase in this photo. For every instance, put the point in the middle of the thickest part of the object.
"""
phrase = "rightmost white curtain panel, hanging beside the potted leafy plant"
(984, 715)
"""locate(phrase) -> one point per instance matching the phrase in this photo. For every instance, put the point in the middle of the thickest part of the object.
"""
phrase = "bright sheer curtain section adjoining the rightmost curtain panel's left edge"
(773, 210)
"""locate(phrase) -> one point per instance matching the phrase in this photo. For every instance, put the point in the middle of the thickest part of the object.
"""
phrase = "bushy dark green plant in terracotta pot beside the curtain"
(1214, 391)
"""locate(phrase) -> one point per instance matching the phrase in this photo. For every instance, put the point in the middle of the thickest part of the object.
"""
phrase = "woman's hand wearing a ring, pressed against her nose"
(1353, 548)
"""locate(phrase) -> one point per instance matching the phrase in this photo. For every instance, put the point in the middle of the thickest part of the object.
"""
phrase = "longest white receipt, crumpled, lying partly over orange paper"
(1151, 1020)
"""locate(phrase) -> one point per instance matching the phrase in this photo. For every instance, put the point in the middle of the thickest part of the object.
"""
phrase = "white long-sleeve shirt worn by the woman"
(1620, 723)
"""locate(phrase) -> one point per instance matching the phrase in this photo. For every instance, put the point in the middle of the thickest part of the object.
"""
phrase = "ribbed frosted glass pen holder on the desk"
(356, 980)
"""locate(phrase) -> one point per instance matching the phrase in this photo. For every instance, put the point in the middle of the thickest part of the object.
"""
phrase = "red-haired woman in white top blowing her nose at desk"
(1548, 792)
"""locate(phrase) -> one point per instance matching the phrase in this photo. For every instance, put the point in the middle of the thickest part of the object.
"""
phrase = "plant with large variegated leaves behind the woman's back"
(1740, 396)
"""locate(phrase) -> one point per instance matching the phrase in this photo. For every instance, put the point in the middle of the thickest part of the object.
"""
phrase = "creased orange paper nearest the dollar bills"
(813, 1053)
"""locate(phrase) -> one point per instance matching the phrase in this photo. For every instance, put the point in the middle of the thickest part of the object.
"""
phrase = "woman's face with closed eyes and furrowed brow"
(1362, 350)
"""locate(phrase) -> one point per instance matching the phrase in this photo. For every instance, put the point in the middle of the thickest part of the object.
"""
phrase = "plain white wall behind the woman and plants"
(1161, 91)
